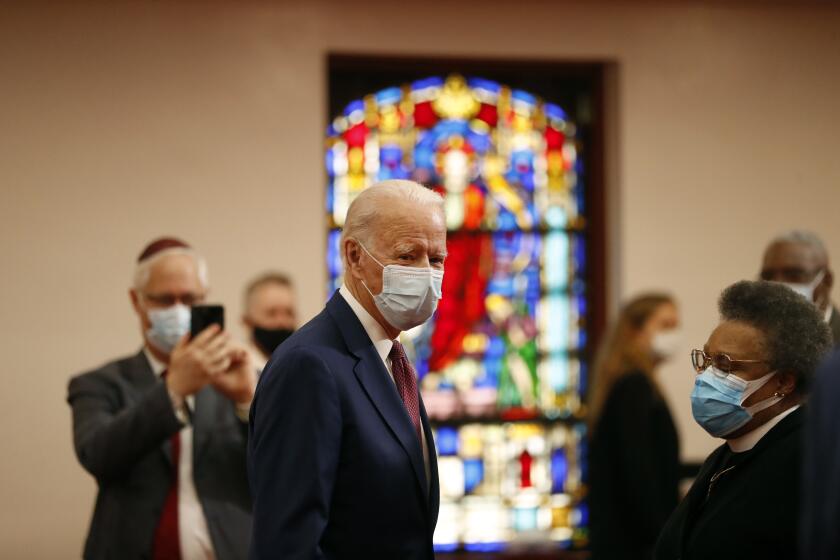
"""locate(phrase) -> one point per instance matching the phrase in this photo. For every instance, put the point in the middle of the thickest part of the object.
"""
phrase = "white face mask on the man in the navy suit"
(409, 295)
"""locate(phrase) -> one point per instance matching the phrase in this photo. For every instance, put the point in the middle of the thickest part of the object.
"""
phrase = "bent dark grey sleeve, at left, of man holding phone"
(109, 440)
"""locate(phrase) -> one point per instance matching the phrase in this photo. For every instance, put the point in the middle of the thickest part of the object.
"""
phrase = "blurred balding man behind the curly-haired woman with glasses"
(799, 260)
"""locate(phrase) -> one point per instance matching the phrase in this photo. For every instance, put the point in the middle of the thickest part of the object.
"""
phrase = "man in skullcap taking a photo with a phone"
(164, 431)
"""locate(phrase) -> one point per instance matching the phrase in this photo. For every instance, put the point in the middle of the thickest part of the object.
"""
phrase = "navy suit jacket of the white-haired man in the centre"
(335, 465)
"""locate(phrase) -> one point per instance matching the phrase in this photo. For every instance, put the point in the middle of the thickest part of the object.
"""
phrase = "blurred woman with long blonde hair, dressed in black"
(634, 449)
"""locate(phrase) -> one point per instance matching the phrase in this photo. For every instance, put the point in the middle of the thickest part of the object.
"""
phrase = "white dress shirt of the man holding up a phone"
(192, 526)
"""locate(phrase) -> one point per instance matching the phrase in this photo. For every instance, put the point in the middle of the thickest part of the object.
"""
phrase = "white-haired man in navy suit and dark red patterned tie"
(341, 455)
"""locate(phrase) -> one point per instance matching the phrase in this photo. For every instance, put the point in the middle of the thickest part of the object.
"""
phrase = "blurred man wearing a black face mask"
(270, 313)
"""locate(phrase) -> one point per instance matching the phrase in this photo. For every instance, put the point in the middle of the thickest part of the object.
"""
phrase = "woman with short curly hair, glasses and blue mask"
(751, 378)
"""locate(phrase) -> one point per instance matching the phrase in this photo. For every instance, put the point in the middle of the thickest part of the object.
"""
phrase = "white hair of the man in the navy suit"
(374, 201)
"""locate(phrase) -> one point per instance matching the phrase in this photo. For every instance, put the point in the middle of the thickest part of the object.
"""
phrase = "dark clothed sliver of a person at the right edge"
(820, 527)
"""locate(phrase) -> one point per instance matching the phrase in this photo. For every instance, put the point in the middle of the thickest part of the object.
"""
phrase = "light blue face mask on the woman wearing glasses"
(718, 397)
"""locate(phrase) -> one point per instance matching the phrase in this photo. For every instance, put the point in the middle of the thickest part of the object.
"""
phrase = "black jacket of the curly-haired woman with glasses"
(751, 511)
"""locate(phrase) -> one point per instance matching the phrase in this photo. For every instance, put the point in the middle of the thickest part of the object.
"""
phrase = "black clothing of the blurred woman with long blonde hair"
(633, 471)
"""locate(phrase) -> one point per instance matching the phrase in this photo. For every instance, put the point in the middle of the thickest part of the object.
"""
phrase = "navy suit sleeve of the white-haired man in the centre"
(294, 451)
